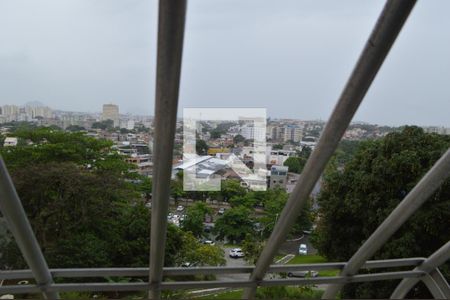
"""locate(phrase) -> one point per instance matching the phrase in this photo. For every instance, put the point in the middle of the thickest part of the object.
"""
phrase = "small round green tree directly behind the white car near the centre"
(234, 225)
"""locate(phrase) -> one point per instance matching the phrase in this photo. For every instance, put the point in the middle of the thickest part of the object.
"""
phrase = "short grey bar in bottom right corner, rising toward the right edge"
(435, 260)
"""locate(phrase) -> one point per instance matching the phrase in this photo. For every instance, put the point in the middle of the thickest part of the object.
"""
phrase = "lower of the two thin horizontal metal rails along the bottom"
(142, 286)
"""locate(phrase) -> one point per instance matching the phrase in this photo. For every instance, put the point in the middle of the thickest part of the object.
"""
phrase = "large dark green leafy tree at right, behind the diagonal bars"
(356, 199)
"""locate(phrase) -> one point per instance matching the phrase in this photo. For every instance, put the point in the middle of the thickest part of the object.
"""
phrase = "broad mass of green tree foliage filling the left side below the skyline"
(86, 205)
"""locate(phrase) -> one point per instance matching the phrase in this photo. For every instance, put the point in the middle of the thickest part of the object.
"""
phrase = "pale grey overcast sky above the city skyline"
(292, 57)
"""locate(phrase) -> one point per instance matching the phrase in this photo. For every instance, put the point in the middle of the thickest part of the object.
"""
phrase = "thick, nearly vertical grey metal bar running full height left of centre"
(170, 47)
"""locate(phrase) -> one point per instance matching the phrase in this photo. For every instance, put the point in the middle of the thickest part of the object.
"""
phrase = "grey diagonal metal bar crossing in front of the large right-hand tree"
(429, 183)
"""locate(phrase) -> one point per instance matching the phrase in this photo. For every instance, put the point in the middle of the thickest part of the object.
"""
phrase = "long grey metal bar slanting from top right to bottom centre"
(375, 51)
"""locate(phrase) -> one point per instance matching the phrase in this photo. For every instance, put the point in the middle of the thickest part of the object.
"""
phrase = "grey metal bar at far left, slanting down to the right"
(20, 227)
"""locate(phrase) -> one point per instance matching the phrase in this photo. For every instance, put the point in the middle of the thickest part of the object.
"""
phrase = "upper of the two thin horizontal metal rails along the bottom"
(173, 271)
